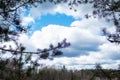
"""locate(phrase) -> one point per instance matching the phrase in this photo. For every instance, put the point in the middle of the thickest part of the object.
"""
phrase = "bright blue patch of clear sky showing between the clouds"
(57, 19)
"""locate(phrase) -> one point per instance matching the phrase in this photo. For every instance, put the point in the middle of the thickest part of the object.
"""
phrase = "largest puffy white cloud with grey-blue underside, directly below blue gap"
(81, 40)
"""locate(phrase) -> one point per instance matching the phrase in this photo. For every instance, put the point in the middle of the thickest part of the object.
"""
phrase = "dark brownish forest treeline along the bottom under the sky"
(11, 72)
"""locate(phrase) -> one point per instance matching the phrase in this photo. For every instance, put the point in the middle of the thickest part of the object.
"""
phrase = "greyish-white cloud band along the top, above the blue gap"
(62, 8)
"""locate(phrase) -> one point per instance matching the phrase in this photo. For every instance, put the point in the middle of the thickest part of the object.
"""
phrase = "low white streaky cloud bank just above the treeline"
(89, 60)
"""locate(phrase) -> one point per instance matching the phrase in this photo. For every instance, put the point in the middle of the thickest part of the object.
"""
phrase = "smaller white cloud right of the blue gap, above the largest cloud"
(93, 24)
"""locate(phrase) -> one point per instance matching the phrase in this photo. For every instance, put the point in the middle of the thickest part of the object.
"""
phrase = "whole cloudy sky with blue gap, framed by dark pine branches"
(88, 46)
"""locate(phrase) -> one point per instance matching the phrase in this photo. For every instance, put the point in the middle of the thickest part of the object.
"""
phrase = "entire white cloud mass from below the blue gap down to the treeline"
(88, 46)
